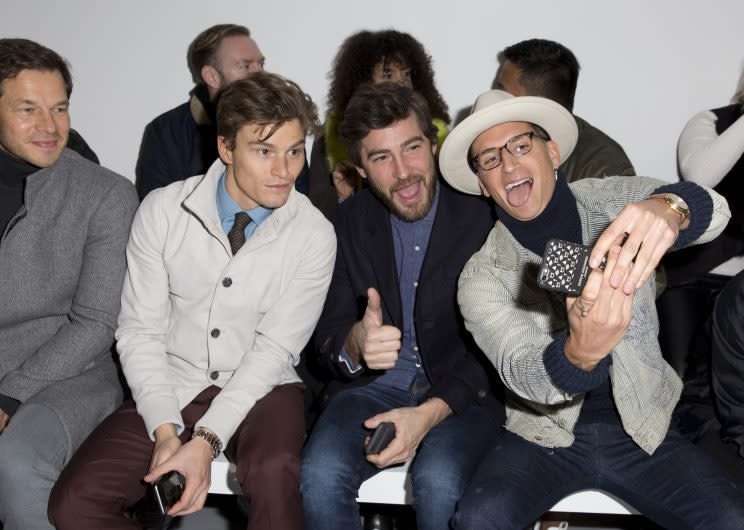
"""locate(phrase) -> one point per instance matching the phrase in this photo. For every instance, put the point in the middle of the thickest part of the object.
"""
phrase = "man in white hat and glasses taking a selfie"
(589, 396)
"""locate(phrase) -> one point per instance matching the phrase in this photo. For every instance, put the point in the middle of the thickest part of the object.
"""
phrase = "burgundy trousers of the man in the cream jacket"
(104, 476)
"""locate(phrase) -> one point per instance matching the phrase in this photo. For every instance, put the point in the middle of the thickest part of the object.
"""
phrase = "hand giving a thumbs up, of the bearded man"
(371, 340)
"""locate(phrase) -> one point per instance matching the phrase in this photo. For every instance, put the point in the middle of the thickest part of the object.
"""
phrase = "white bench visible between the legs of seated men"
(393, 486)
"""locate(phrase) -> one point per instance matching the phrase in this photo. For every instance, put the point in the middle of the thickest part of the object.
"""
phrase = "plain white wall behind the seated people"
(647, 66)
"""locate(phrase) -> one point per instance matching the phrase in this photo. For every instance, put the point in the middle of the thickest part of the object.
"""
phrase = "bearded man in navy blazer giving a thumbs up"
(390, 333)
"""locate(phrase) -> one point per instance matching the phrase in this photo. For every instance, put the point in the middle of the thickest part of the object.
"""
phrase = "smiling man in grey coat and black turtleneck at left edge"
(64, 225)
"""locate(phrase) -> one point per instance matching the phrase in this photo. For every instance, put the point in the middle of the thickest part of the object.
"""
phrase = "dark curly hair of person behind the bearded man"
(361, 52)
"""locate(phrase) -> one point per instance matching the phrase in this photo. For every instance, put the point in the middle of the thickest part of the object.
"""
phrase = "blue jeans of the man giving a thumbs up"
(334, 466)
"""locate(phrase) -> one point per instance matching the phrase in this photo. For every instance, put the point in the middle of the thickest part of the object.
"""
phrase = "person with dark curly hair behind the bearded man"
(364, 57)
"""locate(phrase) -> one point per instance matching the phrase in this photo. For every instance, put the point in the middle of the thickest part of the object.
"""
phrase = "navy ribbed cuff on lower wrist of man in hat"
(568, 377)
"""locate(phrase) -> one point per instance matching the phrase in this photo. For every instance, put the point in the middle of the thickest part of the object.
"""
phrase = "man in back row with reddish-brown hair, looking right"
(183, 141)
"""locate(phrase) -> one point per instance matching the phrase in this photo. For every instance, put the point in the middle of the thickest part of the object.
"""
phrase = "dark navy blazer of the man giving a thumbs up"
(458, 371)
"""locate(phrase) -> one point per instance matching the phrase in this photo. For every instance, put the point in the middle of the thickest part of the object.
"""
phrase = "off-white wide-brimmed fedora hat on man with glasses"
(493, 108)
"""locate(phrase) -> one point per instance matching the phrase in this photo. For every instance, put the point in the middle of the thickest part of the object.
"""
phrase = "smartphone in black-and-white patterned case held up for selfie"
(565, 267)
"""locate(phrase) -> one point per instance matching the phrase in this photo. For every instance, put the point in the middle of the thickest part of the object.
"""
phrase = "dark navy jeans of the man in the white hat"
(677, 487)
